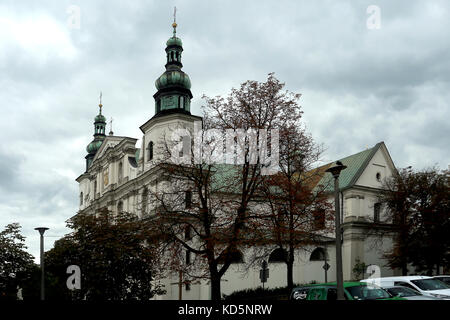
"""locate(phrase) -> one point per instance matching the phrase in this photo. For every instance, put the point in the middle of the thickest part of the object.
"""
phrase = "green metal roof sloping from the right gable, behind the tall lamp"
(355, 166)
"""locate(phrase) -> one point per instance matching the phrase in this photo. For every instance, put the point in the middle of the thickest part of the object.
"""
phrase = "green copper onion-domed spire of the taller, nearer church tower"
(174, 94)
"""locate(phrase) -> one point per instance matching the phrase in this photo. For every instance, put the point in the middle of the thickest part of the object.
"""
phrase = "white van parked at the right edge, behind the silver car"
(426, 285)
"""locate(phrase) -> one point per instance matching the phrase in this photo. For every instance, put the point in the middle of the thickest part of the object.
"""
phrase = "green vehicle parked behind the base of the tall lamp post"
(352, 291)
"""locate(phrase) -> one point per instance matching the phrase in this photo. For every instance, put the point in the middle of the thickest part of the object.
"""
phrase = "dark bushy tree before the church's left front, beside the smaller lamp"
(116, 256)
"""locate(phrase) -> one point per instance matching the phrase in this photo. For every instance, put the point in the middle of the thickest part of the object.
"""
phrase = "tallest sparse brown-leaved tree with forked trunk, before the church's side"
(223, 210)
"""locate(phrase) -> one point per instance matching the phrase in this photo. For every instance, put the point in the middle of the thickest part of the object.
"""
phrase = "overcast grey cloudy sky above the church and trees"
(360, 84)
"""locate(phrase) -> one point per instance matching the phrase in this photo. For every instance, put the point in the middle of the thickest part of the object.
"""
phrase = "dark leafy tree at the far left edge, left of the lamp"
(16, 264)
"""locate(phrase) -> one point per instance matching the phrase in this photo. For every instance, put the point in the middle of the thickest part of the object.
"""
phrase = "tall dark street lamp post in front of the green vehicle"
(335, 171)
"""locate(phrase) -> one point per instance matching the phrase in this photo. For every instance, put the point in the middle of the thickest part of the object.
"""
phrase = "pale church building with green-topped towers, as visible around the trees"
(119, 175)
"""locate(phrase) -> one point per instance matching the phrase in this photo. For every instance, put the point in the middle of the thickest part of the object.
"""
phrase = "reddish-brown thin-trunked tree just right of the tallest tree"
(299, 211)
